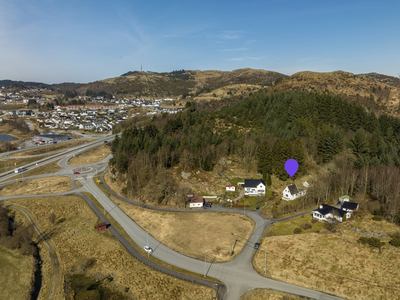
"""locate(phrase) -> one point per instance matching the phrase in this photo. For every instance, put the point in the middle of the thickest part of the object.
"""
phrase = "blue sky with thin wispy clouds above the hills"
(56, 41)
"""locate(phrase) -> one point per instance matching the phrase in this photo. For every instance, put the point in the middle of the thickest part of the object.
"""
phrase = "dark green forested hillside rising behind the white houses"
(263, 131)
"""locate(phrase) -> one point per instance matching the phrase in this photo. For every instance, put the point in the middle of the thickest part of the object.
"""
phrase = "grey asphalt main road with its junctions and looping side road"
(238, 275)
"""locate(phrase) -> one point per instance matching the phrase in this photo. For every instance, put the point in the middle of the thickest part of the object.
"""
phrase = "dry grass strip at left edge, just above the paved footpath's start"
(38, 186)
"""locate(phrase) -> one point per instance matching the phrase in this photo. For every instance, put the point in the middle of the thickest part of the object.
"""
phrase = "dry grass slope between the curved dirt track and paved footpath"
(74, 233)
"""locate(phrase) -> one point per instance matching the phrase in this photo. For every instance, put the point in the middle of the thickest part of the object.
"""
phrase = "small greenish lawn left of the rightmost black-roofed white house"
(287, 227)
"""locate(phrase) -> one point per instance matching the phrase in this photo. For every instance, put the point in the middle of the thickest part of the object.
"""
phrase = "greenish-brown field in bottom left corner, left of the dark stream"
(16, 274)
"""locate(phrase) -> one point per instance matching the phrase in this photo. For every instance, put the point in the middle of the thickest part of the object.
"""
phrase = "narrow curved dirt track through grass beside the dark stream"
(53, 254)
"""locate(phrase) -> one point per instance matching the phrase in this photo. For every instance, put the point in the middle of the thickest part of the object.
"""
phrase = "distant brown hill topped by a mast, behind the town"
(178, 83)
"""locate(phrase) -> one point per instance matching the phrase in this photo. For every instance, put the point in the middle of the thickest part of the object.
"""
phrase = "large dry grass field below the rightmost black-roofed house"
(335, 262)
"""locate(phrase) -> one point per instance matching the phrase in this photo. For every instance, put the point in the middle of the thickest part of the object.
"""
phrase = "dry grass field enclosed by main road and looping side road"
(213, 230)
